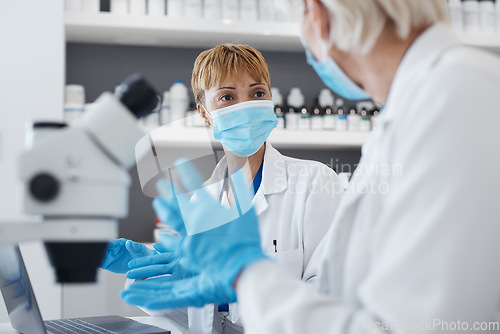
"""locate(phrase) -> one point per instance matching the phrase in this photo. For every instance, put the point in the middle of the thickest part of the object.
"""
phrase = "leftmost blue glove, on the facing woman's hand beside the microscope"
(120, 252)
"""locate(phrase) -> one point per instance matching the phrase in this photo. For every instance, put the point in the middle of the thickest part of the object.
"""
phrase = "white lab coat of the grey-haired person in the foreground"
(415, 242)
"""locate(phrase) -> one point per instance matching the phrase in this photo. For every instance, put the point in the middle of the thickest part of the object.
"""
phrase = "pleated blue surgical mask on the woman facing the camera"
(244, 127)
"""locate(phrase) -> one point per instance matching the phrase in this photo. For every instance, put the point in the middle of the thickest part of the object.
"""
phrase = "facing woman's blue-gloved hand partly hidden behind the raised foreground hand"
(166, 262)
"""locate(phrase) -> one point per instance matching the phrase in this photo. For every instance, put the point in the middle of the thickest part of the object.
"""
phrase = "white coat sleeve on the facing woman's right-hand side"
(325, 193)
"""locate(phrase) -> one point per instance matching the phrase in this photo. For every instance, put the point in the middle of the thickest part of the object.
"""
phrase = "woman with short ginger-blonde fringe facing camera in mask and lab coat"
(294, 199)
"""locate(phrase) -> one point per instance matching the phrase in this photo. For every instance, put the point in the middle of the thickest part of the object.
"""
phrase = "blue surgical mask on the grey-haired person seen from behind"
(334, 78)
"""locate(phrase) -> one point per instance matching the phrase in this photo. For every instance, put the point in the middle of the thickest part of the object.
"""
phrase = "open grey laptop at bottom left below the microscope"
(25, 315)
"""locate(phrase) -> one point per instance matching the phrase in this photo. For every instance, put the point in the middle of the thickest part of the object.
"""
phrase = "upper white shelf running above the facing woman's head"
(107, 28)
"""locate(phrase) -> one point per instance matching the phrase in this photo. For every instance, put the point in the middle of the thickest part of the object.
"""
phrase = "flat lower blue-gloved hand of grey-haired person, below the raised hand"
(168, 293)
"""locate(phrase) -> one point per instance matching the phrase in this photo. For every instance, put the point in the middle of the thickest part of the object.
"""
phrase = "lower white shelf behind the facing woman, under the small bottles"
(199, 137)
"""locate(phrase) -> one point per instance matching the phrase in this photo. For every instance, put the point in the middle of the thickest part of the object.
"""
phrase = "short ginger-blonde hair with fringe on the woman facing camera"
(213, 66)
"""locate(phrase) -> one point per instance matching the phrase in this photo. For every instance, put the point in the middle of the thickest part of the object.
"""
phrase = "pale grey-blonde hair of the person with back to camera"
(357, 24)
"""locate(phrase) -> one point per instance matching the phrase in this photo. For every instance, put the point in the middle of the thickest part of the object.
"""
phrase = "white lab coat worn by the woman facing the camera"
(296, 202)
